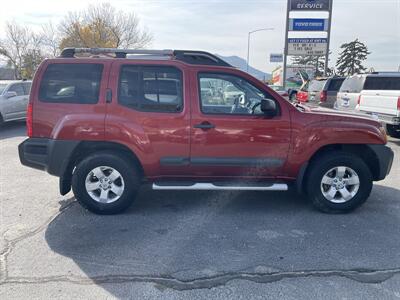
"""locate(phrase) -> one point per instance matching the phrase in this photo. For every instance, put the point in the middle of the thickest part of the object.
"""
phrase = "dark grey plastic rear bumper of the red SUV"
(45, 154)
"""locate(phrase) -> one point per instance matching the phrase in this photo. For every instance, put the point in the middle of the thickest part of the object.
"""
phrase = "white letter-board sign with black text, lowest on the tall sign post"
(312, 46)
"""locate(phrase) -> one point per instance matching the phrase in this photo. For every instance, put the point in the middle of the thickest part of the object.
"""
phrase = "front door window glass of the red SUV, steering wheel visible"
(229, 94)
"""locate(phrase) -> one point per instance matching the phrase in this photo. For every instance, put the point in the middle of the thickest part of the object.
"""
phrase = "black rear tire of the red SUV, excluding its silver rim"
(117, 161)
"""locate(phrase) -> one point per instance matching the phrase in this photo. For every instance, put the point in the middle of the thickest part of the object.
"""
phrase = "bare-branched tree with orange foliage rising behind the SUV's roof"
(103, 26)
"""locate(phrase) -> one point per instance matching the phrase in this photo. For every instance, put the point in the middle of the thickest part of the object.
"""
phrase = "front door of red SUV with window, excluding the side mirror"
(230, 136)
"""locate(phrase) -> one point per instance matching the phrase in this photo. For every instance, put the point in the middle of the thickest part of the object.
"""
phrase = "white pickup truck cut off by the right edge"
(380, 98)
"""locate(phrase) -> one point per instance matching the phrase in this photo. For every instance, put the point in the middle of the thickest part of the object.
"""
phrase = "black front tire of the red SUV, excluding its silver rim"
(321, 165)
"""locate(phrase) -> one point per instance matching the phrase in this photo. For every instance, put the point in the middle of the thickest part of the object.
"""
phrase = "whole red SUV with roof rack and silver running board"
(107, 120)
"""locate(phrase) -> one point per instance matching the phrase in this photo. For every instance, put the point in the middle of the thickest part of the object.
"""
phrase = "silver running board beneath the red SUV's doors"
(220, 187)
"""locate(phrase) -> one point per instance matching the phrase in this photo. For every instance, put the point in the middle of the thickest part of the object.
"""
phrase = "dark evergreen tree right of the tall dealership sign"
(350, 60)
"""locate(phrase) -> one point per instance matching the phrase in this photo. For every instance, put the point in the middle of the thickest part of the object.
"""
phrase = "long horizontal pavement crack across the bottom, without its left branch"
(363, 276)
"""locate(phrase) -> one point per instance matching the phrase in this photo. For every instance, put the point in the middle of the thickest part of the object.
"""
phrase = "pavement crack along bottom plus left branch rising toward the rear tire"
(168, 281)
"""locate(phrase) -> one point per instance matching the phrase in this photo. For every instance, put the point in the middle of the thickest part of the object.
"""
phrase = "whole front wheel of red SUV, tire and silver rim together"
(331, 165)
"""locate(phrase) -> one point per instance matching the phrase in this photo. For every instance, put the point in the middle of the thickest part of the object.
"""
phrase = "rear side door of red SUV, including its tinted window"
(150, 114)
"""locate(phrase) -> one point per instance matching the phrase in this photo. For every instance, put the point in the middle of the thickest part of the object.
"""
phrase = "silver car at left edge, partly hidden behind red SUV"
(13, 100)
